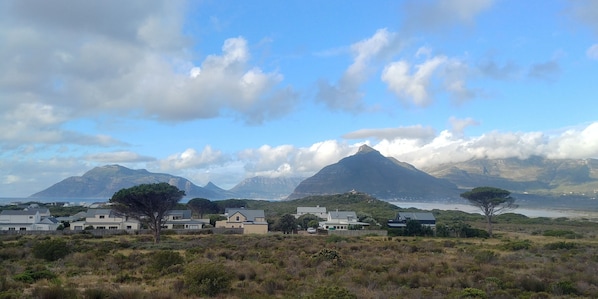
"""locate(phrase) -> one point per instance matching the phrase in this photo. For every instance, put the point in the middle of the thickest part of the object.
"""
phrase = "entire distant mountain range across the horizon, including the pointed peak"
(369, 172)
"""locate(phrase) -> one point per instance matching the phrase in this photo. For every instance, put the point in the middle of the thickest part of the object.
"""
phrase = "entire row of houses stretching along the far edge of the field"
(251, 221)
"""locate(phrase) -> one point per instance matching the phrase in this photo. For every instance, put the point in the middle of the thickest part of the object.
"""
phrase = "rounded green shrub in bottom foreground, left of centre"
(208, 279)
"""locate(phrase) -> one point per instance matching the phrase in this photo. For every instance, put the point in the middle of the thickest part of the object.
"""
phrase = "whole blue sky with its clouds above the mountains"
(224, 90)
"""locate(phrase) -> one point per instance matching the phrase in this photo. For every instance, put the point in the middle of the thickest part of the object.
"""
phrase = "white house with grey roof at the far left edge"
(29, 219)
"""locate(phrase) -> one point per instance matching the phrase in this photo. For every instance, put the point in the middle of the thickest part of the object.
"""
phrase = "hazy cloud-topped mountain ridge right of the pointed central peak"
(535, 174)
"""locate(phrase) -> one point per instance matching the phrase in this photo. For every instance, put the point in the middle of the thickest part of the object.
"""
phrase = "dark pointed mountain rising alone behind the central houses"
(384, 178)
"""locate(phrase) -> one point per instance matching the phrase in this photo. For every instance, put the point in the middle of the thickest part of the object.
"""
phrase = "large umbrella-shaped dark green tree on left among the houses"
(147, 203)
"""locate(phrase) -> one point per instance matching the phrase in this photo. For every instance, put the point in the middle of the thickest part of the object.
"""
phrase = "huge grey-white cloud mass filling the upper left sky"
(127, 59)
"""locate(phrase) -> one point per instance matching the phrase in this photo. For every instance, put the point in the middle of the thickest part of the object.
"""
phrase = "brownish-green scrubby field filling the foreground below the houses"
(539, 262)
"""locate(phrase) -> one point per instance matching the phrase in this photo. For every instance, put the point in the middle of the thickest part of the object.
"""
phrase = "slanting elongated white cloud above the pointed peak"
(345, 94)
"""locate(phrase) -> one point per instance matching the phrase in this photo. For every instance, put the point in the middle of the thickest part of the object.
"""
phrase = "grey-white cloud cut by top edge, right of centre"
(442, 14)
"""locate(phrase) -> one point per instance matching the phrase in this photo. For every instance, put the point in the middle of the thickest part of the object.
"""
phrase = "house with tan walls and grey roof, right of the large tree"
(252, 221)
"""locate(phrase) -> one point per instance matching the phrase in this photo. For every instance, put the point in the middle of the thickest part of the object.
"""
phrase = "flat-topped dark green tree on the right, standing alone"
(491, 201)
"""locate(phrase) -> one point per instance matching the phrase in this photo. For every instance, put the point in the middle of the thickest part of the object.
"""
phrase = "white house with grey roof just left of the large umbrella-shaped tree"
(105, 219)
